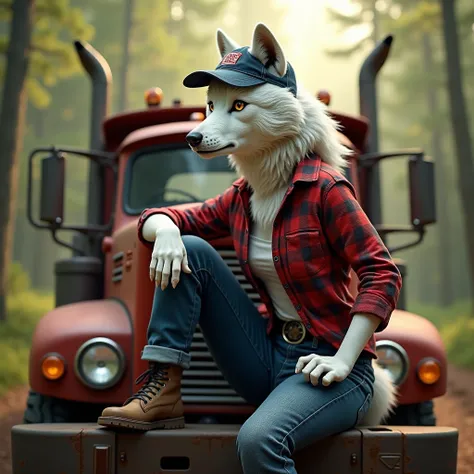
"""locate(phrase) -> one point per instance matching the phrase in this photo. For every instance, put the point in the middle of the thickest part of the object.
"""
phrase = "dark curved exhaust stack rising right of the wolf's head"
(368, 108)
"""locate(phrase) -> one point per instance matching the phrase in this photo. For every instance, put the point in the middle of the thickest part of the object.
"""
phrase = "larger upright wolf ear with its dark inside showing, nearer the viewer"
(267, 50)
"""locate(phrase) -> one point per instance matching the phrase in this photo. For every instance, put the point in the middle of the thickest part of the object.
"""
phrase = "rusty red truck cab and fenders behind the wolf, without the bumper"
(85, 353)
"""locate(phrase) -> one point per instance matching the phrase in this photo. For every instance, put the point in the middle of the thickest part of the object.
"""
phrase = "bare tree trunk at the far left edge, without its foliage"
(12, 119)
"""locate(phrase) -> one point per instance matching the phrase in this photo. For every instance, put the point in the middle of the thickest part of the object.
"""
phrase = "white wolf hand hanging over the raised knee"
(169, 256)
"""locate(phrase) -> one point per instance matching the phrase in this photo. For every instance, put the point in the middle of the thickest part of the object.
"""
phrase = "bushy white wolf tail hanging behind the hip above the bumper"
(384, 400)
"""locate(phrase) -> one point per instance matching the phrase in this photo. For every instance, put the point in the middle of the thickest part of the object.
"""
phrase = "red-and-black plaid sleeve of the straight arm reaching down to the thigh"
(354, 238)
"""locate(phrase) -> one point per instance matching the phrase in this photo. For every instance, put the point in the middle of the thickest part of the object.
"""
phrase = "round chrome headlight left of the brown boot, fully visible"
(100, 363)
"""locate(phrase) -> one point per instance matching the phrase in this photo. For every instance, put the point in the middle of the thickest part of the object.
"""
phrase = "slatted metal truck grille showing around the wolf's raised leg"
(203, 382)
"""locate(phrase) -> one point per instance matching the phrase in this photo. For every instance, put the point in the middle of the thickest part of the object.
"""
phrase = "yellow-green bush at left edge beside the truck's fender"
(25, 308)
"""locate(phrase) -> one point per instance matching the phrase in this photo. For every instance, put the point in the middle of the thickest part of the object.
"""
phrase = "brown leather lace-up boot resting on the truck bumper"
(157, 405)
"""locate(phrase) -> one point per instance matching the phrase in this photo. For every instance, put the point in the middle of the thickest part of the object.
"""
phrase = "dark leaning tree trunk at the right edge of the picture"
(460, 124)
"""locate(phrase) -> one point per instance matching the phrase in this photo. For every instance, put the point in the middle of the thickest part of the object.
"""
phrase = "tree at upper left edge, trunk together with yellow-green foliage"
(36, 57)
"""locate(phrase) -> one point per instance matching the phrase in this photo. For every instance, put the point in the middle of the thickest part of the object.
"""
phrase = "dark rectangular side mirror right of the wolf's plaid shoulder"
(422, 191)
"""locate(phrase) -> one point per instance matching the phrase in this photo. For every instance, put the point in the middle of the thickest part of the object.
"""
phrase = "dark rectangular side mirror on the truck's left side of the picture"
(52, 189)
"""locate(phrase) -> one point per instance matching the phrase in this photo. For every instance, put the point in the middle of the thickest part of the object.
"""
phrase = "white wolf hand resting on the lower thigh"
(313, 366)
